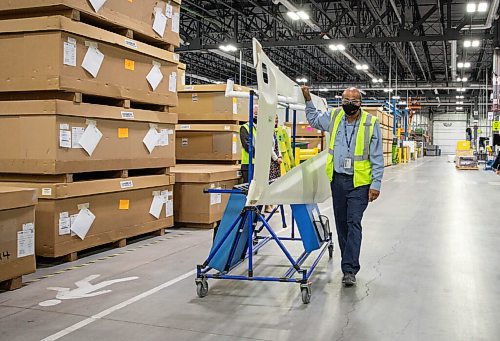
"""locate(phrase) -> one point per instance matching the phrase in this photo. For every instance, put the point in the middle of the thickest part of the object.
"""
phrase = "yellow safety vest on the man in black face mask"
(362, 165)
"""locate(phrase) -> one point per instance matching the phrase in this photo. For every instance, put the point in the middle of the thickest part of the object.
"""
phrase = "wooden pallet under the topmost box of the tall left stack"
(86, 18)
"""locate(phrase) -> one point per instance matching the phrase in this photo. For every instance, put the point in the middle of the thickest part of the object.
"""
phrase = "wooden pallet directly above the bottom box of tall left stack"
(83, 176)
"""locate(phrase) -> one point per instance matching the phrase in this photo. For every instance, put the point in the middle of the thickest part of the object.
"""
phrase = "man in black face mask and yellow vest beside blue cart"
(355, 166)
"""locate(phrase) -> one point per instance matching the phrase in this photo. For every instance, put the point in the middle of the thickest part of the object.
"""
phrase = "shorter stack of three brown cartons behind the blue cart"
(208, 151)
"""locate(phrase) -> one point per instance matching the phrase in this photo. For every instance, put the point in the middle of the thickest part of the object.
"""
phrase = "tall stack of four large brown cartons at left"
(88, 119)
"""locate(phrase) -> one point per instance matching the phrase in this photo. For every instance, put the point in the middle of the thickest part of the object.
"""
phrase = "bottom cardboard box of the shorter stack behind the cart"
(192, 206)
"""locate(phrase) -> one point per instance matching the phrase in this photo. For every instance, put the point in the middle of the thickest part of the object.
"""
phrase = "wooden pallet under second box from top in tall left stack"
(78, 97)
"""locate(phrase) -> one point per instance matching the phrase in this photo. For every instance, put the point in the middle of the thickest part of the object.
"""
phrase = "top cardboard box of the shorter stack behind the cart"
(204, 105)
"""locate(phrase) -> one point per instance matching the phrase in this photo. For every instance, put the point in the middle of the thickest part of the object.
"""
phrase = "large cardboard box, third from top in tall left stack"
(32, 134)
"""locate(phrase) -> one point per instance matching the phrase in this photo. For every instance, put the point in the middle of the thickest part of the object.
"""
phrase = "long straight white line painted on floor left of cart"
(114, 308)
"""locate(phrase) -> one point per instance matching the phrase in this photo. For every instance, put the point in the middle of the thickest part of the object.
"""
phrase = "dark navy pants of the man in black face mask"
(349, 204)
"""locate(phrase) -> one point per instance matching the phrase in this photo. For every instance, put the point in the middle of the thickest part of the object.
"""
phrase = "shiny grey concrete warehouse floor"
(430, 255)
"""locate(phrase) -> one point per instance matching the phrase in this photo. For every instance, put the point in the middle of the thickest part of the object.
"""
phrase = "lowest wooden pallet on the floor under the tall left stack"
(74, 256)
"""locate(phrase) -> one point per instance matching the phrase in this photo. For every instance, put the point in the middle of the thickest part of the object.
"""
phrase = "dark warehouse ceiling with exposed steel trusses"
(408, 44)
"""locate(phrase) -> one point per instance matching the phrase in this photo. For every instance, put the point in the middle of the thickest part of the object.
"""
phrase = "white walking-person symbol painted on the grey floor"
(84, 290)
